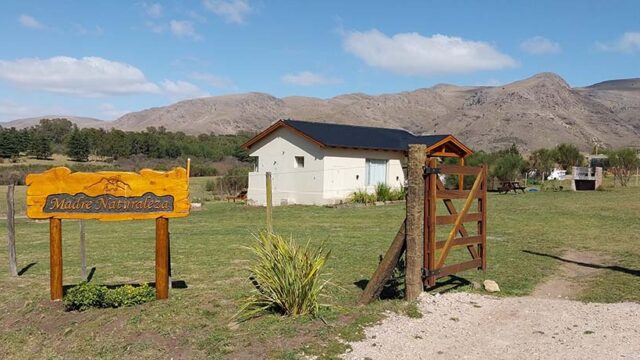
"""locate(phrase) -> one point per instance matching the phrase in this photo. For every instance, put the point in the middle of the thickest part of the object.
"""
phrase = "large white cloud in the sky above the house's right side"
(414, 54)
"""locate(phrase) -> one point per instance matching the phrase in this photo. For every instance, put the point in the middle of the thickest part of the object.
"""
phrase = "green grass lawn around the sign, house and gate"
(207, 255)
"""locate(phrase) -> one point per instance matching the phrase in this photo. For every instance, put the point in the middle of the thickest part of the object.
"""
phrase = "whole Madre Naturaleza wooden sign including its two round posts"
(60, 194)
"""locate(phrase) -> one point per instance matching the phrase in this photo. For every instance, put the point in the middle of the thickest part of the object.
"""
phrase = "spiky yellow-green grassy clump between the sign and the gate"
(286, 276)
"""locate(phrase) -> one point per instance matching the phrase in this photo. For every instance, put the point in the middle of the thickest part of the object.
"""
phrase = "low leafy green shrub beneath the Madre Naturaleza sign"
(86, 295)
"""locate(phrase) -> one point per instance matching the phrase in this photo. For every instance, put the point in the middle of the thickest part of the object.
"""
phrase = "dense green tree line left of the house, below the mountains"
(62, 136)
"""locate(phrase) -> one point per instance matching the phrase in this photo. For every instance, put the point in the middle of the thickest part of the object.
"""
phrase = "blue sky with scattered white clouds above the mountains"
(103, 59)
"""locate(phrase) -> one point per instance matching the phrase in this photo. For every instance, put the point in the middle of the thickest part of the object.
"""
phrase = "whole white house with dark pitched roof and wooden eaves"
(322, 163)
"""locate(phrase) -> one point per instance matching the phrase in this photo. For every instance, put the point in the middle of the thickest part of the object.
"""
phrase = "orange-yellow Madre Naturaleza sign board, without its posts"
(108, 195)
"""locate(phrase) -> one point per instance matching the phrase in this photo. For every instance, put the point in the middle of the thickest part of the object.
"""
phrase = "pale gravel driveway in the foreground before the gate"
(472, 326)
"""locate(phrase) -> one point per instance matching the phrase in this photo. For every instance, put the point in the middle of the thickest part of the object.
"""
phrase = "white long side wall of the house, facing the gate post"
(345, 171)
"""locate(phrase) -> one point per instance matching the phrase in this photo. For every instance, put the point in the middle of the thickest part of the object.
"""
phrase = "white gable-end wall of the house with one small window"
(290, 185)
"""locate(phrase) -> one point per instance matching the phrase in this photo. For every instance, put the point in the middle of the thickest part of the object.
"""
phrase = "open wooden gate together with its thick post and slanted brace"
(416, 237)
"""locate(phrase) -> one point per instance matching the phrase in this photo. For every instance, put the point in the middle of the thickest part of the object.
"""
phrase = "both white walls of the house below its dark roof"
(329, 175)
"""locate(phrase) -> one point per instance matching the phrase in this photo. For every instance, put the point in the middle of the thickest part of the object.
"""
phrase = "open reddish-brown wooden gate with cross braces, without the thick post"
(436, 251)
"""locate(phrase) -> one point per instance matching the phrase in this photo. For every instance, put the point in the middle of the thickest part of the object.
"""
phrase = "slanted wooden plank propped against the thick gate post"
(385, 268)
